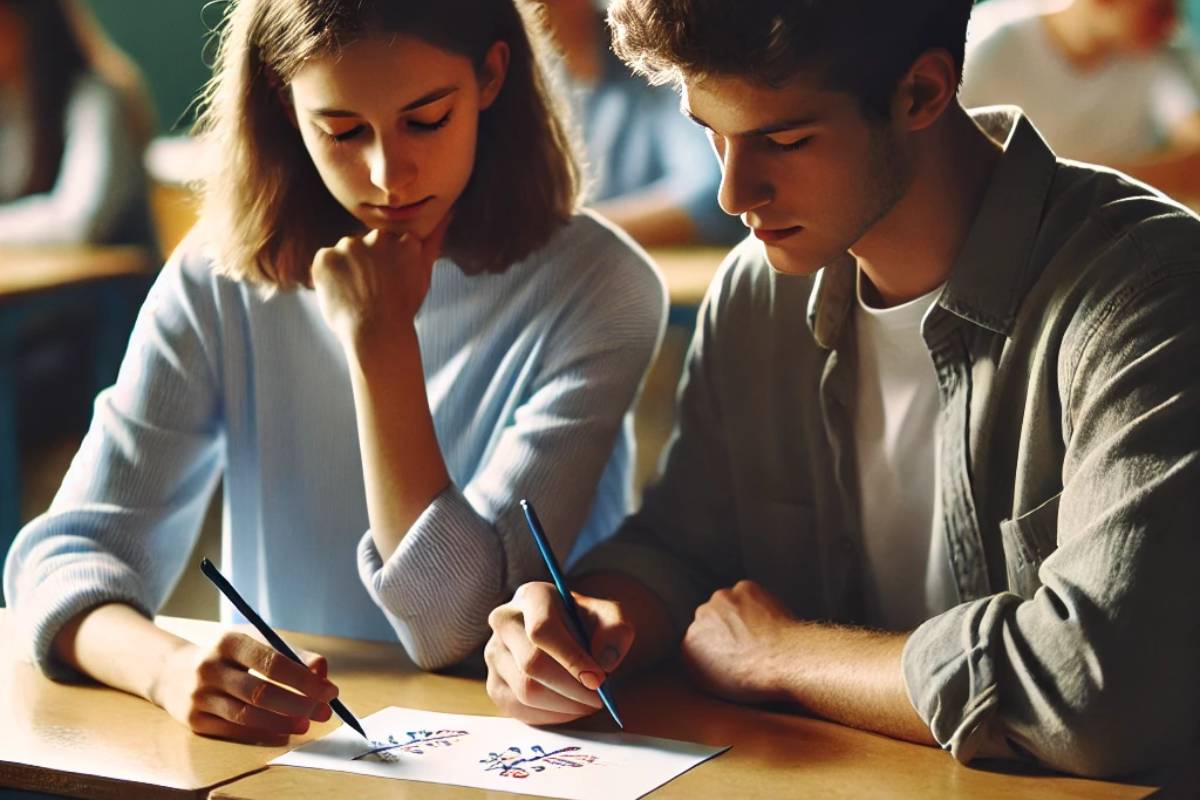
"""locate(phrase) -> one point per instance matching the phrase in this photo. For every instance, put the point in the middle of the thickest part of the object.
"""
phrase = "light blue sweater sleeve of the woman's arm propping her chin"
(471, 550)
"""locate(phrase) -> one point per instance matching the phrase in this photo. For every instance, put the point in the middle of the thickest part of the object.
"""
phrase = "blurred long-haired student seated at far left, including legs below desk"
(75, 121)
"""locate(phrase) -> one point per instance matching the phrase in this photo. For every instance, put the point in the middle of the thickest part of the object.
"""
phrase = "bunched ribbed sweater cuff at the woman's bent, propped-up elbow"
(440, 586)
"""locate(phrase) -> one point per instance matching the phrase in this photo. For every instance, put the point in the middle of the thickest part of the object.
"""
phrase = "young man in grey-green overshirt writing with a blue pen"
(949, 392)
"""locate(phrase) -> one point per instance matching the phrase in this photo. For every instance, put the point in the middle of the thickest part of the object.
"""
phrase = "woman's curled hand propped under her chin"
(373, 286)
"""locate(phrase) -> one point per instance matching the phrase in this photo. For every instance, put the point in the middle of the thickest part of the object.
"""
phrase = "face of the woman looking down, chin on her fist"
(391, 124)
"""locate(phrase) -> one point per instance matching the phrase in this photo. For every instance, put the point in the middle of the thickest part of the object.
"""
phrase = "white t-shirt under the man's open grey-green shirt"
(908, 570)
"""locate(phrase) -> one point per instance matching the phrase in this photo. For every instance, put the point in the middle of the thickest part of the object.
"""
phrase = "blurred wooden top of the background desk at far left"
(25, 270)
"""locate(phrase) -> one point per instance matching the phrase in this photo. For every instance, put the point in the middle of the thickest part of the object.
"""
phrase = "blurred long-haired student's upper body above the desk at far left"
(74, 122)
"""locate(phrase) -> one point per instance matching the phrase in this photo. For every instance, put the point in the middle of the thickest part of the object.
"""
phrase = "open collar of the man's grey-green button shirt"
(991, 274)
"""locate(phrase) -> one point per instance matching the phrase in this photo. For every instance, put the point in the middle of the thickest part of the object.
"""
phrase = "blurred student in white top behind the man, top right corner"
(1097, 79)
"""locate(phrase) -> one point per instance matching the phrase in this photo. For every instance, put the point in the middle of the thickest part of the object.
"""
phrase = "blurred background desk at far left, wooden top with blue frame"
(41, 284)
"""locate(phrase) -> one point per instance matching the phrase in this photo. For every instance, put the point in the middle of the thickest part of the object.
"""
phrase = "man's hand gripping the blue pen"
(537, 672)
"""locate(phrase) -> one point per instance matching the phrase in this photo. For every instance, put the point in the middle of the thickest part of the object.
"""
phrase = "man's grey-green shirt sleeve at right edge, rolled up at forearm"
(1096, 673)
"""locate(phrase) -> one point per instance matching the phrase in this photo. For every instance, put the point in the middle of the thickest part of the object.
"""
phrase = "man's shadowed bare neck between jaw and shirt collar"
(911, 251)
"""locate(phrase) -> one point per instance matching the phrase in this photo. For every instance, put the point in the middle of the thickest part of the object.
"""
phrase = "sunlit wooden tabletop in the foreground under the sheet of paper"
(98, 743)
